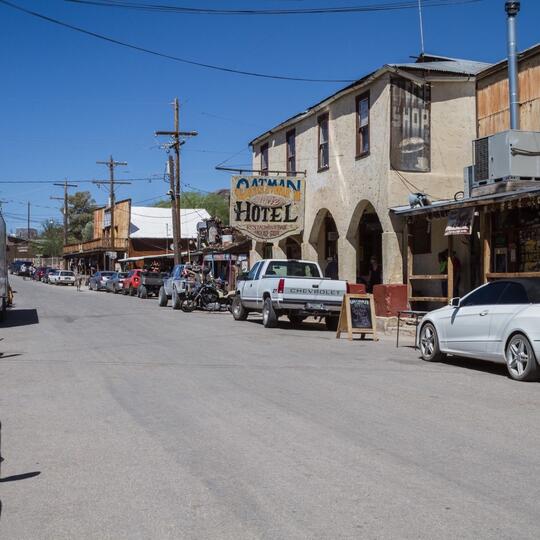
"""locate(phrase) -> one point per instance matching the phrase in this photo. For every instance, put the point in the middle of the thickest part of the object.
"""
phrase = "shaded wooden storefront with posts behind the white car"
(502, 240)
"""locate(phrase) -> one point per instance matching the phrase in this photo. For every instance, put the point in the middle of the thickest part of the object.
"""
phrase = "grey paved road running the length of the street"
(148, 423)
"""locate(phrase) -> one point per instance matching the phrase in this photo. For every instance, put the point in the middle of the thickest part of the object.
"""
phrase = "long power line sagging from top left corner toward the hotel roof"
(169, 56)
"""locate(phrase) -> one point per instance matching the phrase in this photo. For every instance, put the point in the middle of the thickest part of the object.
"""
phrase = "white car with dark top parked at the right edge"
(499, 321)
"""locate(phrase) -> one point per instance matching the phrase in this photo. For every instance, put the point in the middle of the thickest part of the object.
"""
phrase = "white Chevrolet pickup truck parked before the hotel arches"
(276, 287)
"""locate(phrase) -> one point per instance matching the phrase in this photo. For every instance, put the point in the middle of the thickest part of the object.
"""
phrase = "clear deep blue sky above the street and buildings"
(69, 99)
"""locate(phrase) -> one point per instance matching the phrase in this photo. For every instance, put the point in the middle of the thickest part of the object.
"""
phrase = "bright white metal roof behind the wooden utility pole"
(152, 222)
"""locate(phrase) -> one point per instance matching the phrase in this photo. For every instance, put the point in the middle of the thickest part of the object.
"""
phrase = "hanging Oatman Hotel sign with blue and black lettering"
(267, 208)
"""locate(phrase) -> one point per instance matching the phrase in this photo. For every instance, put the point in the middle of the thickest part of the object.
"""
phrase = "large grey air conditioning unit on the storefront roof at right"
(509, 155)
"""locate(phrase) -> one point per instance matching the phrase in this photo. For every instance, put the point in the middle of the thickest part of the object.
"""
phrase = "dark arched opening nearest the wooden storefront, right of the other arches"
(369, 261)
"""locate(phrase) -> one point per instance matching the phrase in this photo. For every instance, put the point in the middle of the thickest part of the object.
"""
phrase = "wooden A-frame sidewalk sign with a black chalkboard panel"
(357, 316)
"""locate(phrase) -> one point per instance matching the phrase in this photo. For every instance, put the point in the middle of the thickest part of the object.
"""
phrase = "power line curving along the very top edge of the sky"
(368, 8)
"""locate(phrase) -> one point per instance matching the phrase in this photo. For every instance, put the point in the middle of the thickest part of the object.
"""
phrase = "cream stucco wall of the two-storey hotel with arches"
(351, 184)
